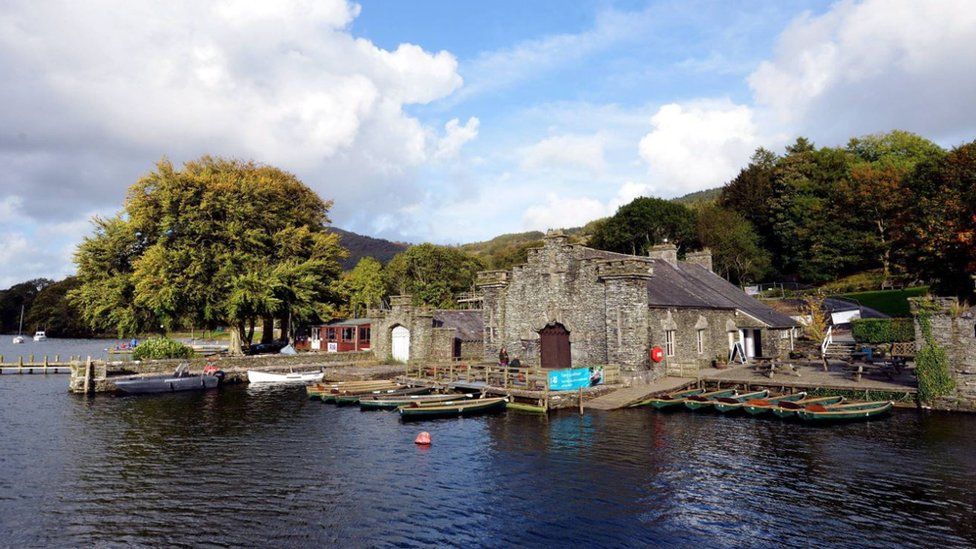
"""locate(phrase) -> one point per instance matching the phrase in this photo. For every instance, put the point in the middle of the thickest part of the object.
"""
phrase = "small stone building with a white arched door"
(405, 332)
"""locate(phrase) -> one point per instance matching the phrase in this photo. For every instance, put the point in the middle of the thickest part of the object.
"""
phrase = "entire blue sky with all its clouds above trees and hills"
(451, 121)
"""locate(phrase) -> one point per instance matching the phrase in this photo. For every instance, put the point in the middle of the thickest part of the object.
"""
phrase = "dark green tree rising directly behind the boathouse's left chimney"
(643, 223)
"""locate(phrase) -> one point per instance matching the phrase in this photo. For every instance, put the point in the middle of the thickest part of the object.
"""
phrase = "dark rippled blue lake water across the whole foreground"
(240, 466)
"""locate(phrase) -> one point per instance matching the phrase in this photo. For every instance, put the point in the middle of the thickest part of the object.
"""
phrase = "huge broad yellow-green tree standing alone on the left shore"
(216, 242)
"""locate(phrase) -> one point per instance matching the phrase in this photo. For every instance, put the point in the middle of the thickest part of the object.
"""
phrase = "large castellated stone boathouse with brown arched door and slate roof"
(570, 305)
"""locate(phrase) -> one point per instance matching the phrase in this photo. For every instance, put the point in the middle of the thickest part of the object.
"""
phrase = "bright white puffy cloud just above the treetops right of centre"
(698, 145)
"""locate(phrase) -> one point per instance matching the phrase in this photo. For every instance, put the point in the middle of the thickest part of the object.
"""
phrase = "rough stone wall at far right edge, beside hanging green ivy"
(954, 329)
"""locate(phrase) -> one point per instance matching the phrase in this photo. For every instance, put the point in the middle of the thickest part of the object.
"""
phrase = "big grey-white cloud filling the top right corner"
(872, 66)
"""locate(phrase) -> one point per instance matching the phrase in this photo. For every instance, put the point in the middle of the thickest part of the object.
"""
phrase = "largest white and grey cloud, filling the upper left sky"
(102, 93)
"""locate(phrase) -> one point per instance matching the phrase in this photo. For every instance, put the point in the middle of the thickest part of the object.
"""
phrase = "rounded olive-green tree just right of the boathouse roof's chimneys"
(736, 253)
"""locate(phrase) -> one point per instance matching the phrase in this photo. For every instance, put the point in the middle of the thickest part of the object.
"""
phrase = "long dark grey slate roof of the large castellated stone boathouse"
(688, 285)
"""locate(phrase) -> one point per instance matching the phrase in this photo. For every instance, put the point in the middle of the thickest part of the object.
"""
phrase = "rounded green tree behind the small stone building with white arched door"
(432, 274)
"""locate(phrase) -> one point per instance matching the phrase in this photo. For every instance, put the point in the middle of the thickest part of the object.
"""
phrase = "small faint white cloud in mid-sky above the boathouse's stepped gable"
(565, 152)
